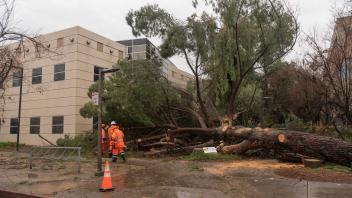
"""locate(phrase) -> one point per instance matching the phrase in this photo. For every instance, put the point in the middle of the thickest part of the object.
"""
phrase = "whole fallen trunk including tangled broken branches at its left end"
(287, 145)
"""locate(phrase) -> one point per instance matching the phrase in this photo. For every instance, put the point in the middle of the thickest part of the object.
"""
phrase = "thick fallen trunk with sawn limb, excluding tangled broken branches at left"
(290, 142)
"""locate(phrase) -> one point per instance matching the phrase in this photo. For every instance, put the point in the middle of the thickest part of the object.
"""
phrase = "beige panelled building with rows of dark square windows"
(55, 85)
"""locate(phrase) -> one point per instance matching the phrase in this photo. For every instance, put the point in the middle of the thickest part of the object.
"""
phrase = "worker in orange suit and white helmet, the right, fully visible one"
(117, 144)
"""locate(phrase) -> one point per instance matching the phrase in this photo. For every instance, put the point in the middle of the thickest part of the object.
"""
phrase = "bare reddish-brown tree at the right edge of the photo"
(334, 66)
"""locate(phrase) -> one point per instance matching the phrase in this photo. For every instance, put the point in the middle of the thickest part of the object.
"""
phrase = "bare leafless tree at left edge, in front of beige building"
(14, 48)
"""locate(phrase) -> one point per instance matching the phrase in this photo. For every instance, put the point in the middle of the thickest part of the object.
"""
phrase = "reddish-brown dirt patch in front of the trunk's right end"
(320, 174)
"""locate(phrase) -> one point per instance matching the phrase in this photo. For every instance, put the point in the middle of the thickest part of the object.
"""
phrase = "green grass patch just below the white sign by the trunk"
(200, 156)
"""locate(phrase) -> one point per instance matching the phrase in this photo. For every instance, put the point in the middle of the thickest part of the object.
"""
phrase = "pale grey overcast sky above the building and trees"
(107, 17)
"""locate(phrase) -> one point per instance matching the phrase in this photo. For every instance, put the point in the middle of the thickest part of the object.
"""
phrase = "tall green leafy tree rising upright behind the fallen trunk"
(224, 47)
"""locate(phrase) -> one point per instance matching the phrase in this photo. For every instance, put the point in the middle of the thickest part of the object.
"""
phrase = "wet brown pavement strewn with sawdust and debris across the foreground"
(167, 178)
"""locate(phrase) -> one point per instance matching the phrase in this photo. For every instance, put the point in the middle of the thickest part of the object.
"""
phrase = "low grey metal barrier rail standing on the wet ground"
(56, 153)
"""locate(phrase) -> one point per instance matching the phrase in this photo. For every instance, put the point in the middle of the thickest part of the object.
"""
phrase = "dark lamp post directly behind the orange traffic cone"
(100, 87)
